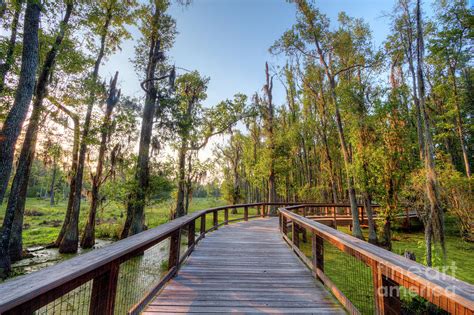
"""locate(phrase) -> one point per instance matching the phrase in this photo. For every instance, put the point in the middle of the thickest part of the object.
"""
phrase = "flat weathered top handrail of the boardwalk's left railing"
(87, 266)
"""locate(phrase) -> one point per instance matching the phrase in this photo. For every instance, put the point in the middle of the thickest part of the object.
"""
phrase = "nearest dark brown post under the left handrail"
(104, 289)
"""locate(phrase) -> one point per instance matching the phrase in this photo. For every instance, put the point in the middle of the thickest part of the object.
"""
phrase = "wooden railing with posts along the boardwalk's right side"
(389, 271)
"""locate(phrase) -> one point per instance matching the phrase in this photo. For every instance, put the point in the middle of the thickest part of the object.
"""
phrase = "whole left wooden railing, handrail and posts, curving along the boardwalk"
(29, 293)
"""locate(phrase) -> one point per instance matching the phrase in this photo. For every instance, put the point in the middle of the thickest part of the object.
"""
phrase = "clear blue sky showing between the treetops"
(228, 41)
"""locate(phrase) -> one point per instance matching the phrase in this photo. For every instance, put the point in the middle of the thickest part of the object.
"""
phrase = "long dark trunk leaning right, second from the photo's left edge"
(16, 201)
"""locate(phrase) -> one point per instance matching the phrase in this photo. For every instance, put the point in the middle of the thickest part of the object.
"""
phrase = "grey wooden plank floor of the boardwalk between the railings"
(245, 268)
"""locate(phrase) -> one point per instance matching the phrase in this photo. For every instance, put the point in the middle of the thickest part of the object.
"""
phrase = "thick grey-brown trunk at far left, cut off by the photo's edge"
(13, 123)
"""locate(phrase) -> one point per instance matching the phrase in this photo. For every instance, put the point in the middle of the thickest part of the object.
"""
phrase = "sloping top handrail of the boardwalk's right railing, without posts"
(390, 264)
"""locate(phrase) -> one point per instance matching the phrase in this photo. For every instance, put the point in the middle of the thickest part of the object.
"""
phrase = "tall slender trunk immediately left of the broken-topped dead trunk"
(70, 239)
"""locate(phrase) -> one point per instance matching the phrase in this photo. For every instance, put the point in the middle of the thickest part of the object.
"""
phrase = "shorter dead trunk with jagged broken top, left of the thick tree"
(88, 235)
